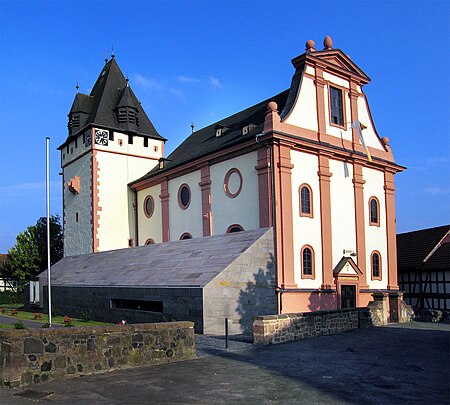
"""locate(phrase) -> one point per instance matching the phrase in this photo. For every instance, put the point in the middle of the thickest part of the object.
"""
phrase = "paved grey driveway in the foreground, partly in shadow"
(389, 365)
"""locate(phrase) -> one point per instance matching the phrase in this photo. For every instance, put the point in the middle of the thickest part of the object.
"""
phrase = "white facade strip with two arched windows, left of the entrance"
(307, 231)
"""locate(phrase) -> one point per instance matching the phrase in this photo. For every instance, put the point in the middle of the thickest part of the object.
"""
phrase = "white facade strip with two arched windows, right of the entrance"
(375, 235)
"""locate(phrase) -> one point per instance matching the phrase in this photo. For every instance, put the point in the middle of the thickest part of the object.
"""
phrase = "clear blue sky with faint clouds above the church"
(200, 61)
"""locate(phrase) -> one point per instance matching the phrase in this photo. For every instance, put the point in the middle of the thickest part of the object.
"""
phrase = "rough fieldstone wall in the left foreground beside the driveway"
(38, 355)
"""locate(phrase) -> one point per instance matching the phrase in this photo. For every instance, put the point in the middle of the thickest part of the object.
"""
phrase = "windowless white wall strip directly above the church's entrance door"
(342, 209)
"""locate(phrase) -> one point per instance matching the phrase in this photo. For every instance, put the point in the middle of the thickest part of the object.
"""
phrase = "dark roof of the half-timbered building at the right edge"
(427, 249)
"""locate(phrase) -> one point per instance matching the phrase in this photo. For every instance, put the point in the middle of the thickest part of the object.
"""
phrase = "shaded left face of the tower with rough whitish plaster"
(78, 235)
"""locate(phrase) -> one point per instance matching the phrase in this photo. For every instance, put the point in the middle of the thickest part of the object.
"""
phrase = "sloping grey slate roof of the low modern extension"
(185, 263)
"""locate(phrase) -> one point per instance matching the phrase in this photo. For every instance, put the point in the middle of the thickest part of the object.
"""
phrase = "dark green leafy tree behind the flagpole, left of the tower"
(28, 257)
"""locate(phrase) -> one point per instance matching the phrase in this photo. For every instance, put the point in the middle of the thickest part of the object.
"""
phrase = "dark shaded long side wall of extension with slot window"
(179, 304)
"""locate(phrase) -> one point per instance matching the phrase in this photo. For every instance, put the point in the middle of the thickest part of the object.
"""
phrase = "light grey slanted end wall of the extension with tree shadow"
(246, 288)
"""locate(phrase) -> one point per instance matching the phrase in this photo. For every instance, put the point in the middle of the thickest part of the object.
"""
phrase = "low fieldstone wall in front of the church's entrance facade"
(274, 329)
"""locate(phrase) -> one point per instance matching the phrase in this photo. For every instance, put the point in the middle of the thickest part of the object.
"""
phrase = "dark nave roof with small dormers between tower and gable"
(204, 141)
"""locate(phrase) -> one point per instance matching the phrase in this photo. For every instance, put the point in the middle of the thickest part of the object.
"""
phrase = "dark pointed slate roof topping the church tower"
(104, 98)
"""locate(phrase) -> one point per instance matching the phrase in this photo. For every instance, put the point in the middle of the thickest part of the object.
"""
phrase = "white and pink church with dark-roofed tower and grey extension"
(303, 178)
